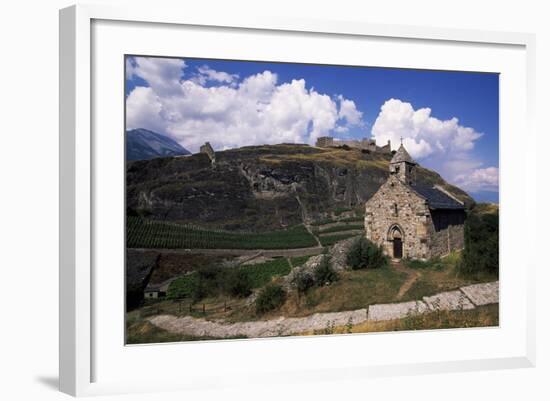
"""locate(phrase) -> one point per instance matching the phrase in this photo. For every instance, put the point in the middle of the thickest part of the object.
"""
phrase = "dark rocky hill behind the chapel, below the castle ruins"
(262, 187)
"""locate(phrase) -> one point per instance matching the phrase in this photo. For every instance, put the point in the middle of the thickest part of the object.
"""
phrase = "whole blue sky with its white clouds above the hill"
(449, 120)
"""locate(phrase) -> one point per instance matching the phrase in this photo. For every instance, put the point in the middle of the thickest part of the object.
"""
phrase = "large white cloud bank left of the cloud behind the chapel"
(228, 113)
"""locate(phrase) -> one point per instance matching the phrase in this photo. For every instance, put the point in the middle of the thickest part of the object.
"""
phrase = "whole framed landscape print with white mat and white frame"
(289, 199)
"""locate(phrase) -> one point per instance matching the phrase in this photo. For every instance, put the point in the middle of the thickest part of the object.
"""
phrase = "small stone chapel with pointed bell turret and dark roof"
(411, 220)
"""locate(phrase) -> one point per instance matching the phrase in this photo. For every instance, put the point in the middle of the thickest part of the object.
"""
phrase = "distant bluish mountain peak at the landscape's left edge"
(142, 144)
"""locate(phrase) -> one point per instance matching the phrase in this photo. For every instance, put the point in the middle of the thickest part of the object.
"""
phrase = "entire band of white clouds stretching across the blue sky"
(197, 104)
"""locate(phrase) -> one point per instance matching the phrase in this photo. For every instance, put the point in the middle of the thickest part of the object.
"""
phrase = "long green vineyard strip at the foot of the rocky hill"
(142, 233)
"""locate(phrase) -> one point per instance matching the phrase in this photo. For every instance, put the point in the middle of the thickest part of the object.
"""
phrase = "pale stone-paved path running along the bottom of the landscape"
(468, 297)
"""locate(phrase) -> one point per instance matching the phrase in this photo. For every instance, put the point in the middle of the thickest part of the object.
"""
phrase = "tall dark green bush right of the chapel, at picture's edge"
(480, 252)
